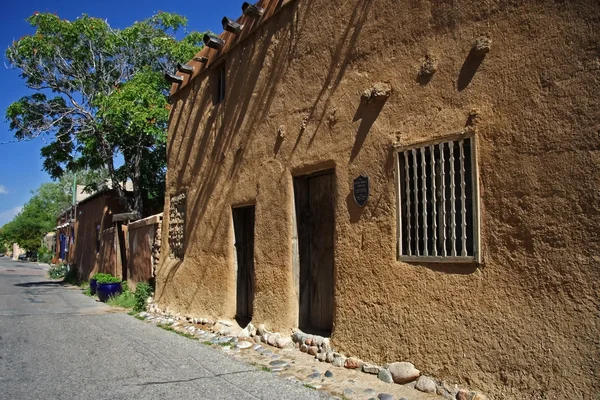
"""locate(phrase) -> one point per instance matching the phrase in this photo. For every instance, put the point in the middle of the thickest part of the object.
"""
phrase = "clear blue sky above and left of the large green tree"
(20, 163)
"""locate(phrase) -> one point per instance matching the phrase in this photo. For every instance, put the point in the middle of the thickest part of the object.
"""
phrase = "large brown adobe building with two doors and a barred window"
(418, 179)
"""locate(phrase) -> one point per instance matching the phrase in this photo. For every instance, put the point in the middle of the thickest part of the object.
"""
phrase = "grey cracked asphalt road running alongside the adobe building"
(56, 343)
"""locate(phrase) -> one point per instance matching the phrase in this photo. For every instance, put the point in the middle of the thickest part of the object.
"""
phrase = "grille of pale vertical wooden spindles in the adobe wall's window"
(439, 202)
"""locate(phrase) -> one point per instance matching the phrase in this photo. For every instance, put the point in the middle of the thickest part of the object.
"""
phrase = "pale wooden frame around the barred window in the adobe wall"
(399, 150)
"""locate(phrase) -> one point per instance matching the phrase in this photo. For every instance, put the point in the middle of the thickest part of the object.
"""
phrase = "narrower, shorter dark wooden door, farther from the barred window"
(243, 227)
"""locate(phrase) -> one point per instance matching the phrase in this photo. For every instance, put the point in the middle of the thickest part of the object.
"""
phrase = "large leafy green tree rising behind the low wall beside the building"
(99, 93)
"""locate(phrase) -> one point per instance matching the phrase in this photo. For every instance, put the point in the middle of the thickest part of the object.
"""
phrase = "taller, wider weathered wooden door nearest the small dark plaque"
(314, 197)
